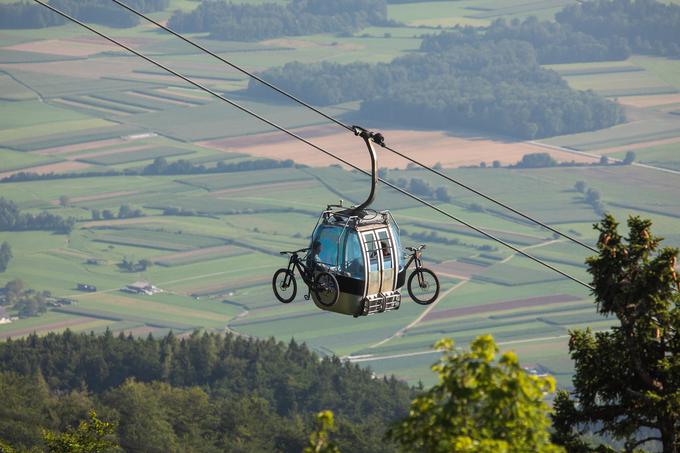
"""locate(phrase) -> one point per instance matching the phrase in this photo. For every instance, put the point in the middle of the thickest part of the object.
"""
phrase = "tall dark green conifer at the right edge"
(627, 379)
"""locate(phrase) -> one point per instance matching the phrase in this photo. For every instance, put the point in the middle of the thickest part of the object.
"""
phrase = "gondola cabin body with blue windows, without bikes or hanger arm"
(362, 251)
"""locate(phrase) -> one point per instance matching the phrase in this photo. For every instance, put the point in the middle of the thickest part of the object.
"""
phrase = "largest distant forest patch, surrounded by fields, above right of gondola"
(496, 86)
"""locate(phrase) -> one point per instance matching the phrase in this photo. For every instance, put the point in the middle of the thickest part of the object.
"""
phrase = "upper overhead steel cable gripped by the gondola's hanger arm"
(349, 128)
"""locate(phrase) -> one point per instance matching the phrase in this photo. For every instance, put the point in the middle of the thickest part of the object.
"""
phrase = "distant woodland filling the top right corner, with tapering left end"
(589, 31)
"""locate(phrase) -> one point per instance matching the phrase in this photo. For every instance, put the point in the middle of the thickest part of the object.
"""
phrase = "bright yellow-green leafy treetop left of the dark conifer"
(478, 405)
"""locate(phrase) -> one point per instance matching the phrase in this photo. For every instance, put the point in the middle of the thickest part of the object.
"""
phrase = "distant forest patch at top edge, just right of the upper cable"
(245, 22)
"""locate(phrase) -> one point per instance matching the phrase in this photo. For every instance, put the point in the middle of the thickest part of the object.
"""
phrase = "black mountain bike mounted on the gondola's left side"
(323, 284)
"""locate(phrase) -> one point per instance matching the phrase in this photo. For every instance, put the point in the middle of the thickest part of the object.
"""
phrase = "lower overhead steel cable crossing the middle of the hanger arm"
(294, 135)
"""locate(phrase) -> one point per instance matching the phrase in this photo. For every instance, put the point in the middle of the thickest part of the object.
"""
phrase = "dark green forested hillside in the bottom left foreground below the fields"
(205, 392)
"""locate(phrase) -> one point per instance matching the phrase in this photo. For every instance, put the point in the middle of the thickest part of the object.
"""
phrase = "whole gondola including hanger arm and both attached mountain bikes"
(354, 264)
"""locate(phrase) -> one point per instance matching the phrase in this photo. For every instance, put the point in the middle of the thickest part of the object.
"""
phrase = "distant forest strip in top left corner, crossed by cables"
(29, 15)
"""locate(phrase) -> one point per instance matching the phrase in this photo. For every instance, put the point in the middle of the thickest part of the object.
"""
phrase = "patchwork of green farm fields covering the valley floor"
(116, 112)
